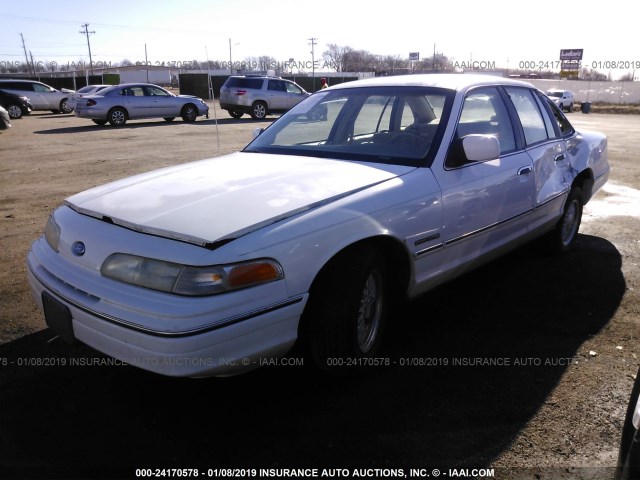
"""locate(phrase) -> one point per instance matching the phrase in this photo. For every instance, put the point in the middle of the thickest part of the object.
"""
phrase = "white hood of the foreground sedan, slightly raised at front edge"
(211, 202)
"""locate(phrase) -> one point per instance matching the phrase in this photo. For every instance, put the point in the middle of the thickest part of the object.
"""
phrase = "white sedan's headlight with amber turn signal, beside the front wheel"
(187, 280)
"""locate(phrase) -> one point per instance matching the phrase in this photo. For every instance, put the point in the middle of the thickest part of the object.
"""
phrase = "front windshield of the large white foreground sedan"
(397, 125)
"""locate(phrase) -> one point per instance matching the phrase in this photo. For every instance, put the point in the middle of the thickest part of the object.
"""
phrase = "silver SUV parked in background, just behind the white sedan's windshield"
(259, 95)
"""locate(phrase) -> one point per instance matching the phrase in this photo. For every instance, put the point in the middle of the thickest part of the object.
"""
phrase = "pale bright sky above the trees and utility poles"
(500, 33)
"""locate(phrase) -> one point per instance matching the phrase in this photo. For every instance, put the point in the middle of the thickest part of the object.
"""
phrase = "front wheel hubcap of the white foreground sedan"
(369, 312)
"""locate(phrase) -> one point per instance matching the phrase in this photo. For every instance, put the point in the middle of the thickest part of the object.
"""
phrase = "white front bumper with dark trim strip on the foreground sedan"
(231, 346)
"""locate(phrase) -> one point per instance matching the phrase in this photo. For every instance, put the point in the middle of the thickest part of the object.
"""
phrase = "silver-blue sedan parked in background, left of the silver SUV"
(132, 101)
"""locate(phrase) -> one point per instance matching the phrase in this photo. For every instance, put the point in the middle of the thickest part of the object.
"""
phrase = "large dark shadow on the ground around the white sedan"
(464, 369)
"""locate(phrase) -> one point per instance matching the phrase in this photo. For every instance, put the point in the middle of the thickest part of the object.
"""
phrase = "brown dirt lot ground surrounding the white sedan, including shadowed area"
(565, 327)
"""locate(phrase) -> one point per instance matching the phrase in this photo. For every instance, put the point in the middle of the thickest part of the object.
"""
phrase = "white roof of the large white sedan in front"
(450, 81)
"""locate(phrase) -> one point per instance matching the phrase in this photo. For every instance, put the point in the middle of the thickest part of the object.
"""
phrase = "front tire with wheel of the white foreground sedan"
(347, 310)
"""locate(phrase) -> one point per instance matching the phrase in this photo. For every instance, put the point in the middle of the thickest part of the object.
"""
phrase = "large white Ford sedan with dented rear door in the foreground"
(316, 227)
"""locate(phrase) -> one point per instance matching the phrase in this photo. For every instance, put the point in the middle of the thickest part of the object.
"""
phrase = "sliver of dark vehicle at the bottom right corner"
(628, 467)
